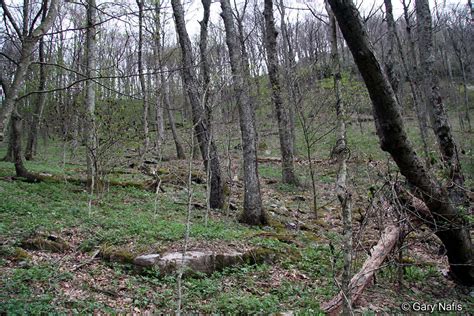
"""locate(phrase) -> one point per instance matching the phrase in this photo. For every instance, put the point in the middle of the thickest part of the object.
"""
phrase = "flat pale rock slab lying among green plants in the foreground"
(199, 261)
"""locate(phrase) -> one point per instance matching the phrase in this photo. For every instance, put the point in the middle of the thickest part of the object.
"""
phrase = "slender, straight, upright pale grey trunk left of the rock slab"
(91, 137)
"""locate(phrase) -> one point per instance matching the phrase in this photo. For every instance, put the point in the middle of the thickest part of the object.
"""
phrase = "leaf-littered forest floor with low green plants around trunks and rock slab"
(128, 220)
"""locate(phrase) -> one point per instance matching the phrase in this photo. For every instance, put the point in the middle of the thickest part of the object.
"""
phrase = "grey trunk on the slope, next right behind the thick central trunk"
(286, 148)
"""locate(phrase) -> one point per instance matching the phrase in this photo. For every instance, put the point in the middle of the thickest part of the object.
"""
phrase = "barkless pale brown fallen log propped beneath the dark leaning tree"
(363, 278)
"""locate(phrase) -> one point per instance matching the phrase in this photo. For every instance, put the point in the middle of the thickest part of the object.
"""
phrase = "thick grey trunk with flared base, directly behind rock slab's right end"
(253, 212)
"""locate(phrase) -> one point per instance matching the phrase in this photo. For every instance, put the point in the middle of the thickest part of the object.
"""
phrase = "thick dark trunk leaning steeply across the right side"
(447, 223)
